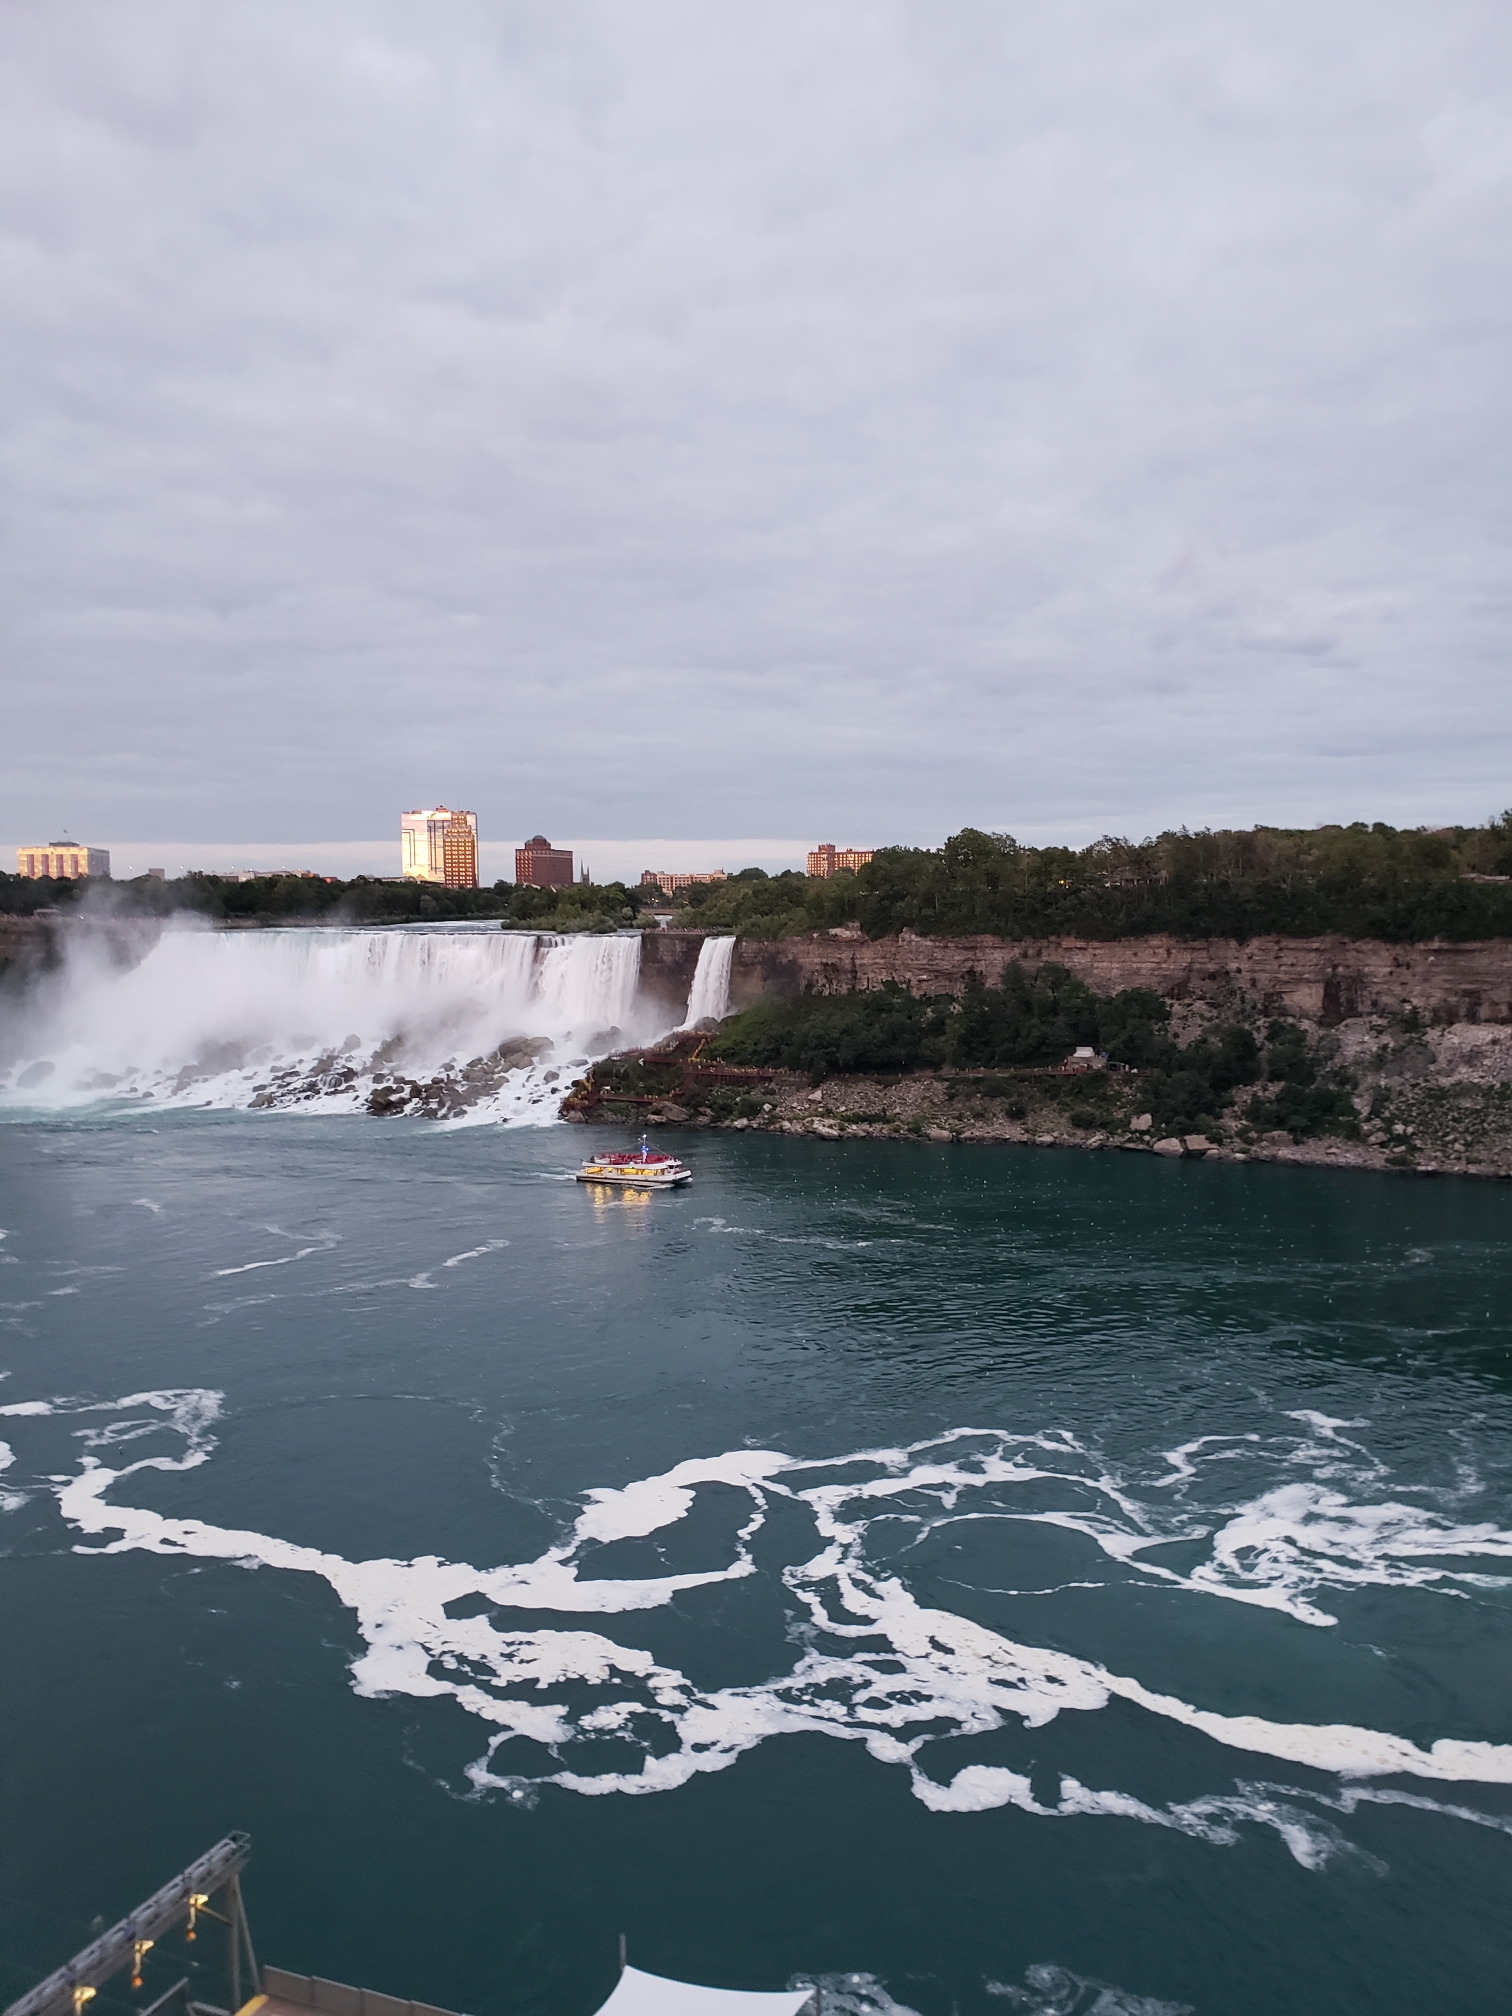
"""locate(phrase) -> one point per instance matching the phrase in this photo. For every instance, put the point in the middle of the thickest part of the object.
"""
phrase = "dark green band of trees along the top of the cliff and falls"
(1356, 882)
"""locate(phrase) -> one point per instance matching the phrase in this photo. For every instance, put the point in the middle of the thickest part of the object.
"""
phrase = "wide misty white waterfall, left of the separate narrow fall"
(330, 1017)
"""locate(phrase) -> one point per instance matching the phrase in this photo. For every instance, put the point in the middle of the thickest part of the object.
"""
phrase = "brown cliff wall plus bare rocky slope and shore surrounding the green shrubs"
(1422, 1031)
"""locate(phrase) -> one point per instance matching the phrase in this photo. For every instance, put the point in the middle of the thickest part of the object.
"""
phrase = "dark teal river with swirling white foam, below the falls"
(985, 1580)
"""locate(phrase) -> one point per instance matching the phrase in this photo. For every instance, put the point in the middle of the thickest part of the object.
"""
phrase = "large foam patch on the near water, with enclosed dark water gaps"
(854, 1549)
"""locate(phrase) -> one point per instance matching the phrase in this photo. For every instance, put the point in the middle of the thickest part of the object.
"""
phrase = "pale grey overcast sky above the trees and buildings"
(842, 420)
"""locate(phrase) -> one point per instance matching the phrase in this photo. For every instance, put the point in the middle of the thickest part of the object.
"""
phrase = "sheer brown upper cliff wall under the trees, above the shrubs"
(1324, 981)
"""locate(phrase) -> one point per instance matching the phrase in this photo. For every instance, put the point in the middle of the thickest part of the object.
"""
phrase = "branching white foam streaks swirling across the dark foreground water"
(874, 1664)
